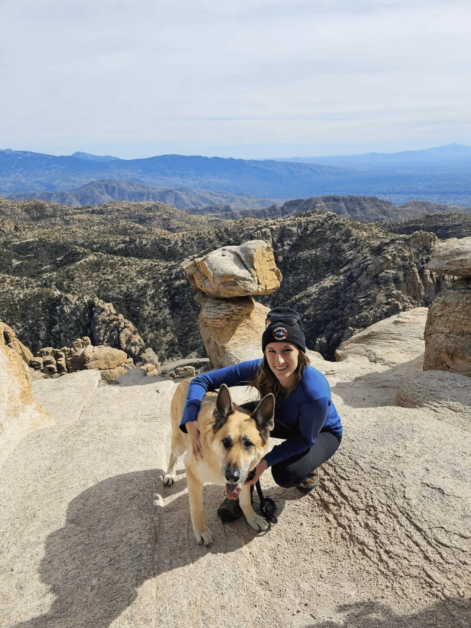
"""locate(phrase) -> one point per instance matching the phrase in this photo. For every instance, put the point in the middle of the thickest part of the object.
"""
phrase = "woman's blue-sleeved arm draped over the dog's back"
(200, 385)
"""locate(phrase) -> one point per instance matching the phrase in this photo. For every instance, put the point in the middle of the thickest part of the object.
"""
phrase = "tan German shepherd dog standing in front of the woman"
(233, 441)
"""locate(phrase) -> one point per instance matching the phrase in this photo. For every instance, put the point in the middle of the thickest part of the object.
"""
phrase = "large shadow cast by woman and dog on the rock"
(117, 535)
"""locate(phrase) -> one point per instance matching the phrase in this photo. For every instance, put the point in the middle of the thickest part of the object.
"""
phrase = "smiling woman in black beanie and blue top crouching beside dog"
(305, 416)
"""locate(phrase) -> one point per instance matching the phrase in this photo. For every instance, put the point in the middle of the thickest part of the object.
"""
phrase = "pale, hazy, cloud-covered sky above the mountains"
(251, 79)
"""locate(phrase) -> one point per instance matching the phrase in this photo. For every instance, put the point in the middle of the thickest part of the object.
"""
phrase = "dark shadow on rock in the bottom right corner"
(449, 613)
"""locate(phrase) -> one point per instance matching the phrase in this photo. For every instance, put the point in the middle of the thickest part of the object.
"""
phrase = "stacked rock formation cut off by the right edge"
(448, 330)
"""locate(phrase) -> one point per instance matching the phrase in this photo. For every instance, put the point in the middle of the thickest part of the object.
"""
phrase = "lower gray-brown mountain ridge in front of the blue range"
(100, 192)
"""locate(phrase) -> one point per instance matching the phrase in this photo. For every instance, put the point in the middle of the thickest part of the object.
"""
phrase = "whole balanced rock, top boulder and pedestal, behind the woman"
(231, 322)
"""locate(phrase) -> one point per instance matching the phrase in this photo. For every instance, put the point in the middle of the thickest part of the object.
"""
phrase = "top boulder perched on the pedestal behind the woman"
(235, 271)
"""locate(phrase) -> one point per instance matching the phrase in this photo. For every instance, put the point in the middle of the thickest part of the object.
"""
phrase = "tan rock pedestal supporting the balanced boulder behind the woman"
(232, 329)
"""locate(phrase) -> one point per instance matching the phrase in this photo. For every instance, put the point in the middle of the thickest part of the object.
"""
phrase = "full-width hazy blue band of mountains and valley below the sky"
(440, 174)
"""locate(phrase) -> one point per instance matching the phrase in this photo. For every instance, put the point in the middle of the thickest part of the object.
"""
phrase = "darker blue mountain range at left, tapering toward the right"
(27, 172)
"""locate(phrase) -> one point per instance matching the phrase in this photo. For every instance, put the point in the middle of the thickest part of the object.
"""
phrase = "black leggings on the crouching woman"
(290, 472)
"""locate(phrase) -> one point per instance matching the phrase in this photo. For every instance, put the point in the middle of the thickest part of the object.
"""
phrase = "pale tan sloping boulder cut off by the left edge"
(19, 412)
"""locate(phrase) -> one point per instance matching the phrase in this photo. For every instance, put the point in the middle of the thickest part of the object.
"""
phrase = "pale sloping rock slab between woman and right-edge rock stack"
(392, 341)
